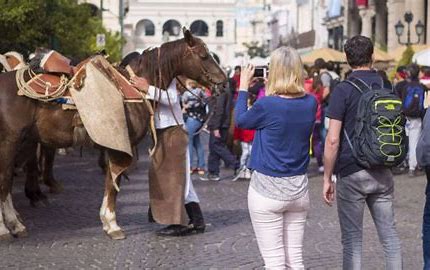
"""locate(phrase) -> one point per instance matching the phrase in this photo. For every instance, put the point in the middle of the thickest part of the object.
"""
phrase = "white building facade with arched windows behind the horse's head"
(150, 23)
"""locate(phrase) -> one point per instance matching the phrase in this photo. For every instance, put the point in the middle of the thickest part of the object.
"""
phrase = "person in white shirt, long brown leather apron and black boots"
(169, 173)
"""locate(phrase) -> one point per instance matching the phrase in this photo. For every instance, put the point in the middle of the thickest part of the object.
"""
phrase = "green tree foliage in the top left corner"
(63, 25)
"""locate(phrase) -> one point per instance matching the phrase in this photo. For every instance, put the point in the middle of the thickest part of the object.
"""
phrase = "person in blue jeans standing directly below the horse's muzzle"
(194, 104)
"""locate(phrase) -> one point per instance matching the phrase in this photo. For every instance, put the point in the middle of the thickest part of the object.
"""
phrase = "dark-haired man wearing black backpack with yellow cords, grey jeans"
(365, 137)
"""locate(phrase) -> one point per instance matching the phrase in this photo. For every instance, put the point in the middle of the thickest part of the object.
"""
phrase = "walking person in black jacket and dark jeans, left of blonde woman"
(218, 124)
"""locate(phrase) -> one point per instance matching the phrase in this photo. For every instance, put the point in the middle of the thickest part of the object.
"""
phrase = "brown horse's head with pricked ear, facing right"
(199, 64)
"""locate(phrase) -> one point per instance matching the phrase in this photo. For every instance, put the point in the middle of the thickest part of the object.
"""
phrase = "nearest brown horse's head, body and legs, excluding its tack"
(27, 121)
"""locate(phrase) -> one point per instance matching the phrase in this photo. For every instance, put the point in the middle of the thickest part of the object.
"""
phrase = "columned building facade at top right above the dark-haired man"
(375, 19)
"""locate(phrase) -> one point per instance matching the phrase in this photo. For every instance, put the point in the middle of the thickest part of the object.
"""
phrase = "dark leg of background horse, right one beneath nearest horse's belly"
(47, 157)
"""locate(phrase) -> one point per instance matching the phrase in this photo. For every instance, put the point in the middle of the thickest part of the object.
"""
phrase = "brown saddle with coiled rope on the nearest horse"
(58, 75)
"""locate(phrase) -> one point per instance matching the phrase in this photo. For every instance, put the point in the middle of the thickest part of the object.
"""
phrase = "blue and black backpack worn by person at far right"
(413, 101)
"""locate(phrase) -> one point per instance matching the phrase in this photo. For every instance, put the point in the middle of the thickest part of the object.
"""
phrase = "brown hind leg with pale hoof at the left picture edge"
(9, 221)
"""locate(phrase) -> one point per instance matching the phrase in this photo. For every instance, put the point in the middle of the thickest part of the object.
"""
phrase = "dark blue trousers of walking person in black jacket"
(218, 150)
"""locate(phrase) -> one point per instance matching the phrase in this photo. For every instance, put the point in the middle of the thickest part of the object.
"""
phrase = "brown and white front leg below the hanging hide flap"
(107, 210)
